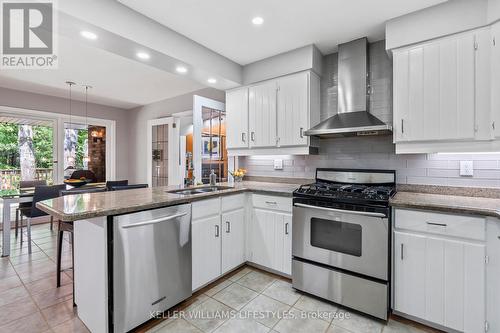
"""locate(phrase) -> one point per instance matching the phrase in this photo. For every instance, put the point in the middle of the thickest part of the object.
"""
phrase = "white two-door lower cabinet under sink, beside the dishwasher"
(218, 237)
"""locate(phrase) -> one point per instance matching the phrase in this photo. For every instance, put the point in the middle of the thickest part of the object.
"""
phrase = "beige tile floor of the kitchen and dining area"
(255, 300)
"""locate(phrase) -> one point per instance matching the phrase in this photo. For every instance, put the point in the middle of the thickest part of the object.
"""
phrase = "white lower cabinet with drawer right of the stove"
(439, 278)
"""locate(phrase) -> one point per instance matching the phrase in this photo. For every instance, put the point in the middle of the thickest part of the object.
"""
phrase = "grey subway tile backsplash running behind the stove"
(378, 153)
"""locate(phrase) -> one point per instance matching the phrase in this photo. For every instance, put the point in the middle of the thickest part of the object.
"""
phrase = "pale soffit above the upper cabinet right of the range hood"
(443, 19)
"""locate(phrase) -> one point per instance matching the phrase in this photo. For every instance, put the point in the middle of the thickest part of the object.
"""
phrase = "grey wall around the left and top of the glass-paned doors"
(138, 117)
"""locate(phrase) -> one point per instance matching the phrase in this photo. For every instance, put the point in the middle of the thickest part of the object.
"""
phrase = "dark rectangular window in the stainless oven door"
(336, 236)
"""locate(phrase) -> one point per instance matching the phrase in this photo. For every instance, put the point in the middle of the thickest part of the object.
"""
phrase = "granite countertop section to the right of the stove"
(449, 200)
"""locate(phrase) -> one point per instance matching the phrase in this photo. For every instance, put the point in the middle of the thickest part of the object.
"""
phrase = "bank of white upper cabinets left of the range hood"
(278, 113)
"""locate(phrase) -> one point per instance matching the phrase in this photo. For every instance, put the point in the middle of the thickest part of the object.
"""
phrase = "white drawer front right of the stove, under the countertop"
(464, 226)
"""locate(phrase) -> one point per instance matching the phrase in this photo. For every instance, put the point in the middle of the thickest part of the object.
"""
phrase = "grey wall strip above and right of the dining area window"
(26, 100)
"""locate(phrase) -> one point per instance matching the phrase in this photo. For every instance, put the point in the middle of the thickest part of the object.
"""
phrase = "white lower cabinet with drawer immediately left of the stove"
(270, 233)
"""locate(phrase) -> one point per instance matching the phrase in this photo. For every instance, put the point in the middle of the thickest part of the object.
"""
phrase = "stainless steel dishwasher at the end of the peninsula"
(151, 264)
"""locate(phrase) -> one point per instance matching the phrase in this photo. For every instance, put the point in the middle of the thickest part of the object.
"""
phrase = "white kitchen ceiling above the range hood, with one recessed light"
(225, 25)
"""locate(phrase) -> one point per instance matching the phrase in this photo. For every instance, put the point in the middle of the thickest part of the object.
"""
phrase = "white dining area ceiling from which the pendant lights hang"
(117, 81)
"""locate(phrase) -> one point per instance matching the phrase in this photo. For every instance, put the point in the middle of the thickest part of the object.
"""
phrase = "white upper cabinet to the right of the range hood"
(445, 91)
